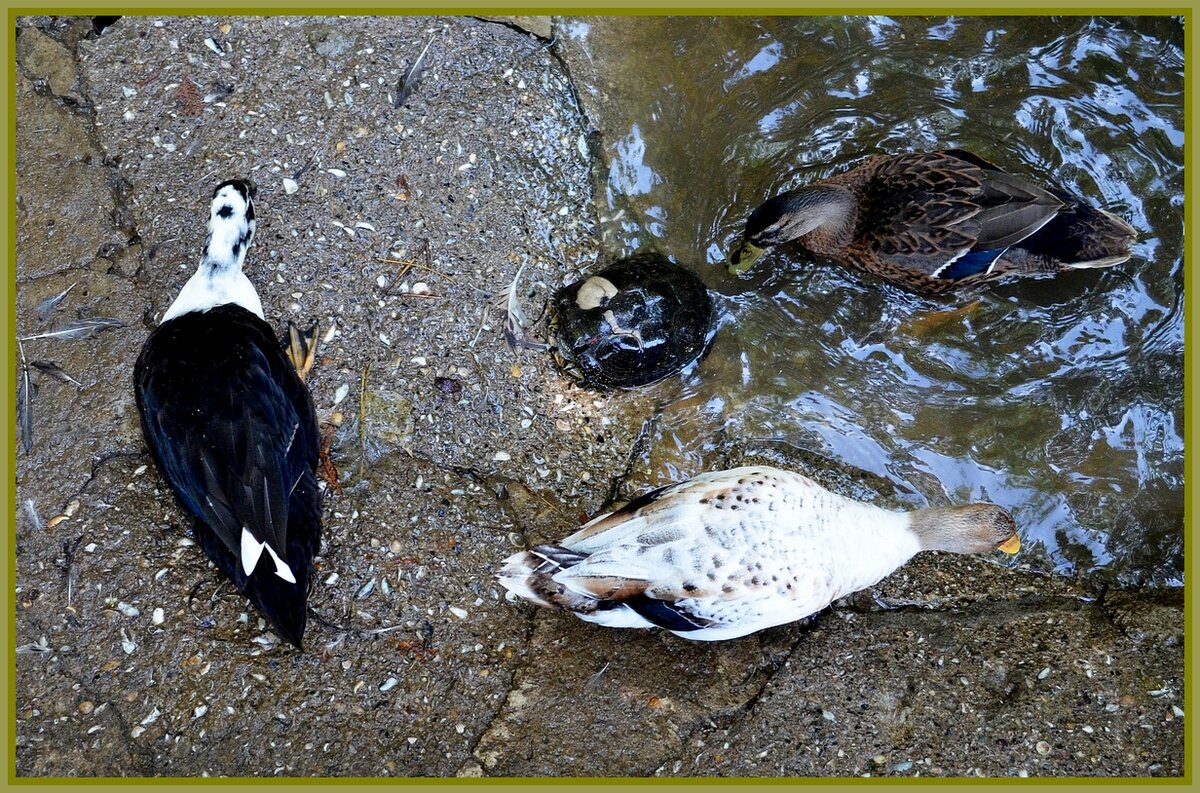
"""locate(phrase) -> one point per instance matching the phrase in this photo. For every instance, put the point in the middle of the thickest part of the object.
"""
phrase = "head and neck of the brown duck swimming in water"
(787, 218)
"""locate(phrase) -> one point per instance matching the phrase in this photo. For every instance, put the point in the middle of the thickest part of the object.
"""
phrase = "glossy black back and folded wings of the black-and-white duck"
(229, 422)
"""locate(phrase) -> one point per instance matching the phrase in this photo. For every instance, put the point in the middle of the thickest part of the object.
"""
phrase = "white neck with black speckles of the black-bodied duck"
(220, 281)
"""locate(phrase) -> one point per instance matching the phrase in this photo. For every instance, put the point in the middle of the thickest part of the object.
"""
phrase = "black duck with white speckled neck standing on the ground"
(231, 424)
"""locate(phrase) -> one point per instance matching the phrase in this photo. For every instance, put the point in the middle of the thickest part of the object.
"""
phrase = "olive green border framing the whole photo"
(545, 8)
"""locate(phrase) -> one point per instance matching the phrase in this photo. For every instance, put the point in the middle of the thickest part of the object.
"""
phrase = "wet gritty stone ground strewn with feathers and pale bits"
(397, 229)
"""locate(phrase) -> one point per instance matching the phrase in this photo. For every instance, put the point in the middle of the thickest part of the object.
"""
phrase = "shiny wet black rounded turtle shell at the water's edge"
(638, 321)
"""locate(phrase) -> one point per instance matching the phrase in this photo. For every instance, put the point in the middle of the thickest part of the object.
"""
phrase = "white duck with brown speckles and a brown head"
(734, 552)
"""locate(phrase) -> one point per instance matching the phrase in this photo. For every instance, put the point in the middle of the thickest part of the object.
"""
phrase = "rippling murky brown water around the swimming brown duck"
(1059, 399)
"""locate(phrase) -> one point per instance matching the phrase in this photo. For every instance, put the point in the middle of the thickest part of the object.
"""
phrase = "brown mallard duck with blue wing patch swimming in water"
(937, 223)
